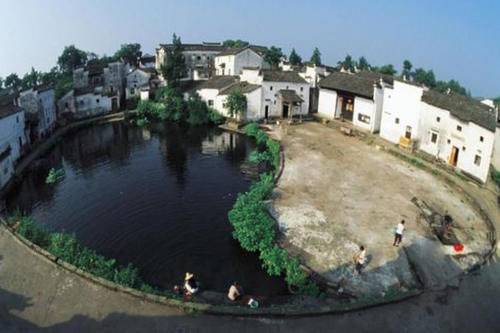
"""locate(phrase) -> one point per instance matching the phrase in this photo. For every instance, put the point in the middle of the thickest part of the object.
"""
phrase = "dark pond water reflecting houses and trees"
(157, 198)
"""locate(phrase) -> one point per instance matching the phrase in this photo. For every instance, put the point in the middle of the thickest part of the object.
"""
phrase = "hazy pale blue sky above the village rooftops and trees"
(457, 39)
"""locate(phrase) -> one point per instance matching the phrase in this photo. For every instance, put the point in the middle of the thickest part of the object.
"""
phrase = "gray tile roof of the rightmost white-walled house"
(463, 108)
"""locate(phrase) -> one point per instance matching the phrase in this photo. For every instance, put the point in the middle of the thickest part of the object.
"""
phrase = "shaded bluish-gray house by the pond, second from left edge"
(40, 111)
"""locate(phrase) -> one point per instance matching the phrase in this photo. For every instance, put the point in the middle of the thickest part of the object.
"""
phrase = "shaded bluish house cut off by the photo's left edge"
(13, 140)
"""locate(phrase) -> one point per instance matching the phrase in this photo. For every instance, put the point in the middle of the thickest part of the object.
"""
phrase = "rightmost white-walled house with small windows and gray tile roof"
(459, 131)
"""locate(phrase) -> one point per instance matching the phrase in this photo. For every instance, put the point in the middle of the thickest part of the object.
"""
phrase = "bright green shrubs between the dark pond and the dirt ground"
(254, 228)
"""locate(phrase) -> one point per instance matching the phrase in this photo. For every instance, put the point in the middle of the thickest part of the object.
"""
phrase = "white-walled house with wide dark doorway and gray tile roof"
(357, 98)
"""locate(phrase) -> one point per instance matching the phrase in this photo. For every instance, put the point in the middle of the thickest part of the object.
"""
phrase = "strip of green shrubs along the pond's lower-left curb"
(67, 248)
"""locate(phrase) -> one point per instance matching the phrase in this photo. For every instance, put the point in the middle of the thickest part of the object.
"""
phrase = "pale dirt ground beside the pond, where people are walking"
(337, 193)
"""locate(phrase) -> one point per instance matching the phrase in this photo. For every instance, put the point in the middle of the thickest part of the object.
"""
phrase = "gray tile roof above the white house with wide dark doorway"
(361, 85)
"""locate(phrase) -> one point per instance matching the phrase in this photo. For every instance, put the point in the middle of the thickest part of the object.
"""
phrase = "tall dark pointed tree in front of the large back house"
(174, 67)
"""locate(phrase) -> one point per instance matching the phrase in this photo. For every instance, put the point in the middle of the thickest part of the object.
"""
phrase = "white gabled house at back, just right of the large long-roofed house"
(232, 61)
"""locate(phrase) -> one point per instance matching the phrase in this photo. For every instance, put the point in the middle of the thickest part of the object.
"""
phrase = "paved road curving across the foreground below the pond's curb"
(36, 295)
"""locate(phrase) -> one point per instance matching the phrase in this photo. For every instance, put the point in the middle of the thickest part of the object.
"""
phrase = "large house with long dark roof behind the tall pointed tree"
(199, 59)
